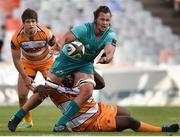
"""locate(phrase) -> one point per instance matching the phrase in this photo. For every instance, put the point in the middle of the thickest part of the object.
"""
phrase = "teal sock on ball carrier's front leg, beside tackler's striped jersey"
(71, 110)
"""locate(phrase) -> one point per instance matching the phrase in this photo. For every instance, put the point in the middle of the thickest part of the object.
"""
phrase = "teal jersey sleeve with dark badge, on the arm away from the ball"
(111, 39)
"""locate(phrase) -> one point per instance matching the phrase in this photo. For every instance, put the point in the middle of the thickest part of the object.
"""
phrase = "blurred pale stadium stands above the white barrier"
(144, 35)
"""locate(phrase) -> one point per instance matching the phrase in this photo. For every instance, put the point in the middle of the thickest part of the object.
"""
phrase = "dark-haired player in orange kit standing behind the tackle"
(30, 47)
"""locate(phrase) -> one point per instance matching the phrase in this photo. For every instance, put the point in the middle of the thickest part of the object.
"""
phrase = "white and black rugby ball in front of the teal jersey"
(75, 49)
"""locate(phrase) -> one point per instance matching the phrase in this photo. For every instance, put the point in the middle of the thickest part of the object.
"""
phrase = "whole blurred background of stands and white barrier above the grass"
(145, 69)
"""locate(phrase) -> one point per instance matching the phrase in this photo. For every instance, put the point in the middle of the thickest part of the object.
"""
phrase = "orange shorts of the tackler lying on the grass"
(106, 120)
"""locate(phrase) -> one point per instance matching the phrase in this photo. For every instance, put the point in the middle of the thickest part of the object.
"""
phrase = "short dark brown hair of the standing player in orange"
(29, 14)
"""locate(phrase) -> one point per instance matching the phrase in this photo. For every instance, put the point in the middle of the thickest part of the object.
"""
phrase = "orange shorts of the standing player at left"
(31, 68)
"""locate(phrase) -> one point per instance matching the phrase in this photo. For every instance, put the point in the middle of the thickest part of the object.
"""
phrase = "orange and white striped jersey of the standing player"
(34, 48)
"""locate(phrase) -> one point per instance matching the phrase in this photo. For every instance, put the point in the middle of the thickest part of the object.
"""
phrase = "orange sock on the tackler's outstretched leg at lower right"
(144, 127)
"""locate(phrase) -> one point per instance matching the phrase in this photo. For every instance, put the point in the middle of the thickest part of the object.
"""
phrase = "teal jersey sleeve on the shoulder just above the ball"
(79, 31)
